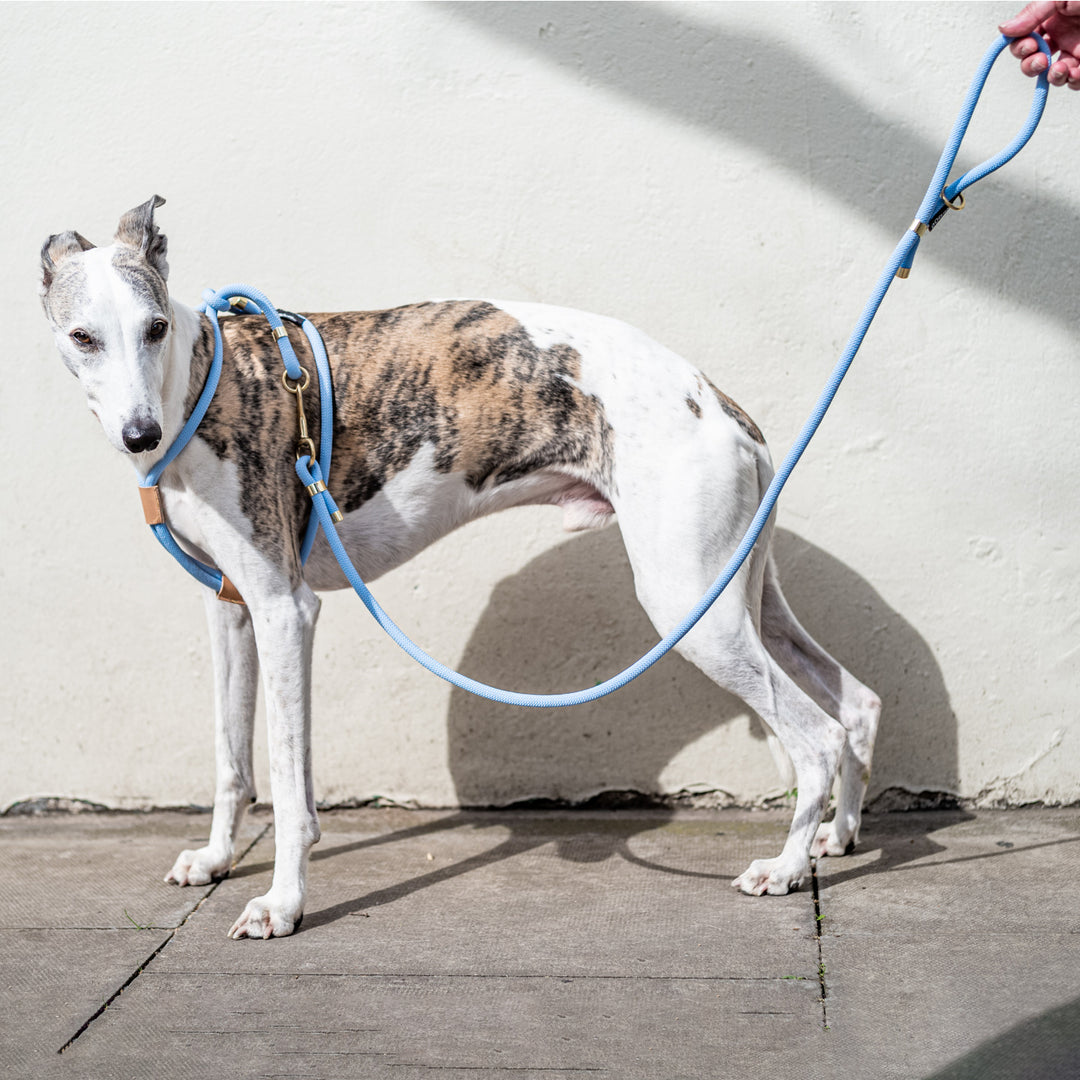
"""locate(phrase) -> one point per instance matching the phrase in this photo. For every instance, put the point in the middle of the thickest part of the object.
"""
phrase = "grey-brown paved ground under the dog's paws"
(546, 944)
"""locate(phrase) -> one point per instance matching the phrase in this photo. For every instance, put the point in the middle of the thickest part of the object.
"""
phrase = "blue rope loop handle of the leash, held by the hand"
(940, 197)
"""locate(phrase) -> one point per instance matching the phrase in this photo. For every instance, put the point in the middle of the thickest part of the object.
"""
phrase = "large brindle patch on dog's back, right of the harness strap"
(467, 379)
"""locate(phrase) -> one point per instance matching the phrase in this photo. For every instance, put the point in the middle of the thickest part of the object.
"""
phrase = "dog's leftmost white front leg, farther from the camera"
(236, 684)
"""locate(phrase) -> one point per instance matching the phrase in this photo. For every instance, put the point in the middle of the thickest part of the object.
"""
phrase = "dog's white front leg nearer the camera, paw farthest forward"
(285, 630)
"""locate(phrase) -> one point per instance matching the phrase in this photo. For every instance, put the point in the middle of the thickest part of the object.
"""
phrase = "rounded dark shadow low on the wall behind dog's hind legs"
(570, 619)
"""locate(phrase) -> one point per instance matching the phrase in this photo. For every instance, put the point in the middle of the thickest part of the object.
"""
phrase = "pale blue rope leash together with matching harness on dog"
(314, 472)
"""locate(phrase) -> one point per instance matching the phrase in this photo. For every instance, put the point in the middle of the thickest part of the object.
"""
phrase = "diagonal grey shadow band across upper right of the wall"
(701, 74)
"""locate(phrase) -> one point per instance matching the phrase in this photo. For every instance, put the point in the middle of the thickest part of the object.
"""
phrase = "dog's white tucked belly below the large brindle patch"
(422, 504)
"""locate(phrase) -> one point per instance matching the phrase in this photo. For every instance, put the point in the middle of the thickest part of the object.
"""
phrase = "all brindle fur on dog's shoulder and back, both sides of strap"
(462, 376)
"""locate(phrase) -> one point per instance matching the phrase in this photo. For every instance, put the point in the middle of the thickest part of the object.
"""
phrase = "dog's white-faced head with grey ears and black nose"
(110, 312)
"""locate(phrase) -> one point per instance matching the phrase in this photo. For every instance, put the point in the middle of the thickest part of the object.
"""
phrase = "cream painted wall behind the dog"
(711, 173)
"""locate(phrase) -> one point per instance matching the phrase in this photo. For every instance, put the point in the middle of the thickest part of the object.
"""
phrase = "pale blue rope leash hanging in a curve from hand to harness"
(930, 212)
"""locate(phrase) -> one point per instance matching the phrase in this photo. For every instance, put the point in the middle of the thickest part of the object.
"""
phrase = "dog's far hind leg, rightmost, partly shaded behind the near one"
(841, 695)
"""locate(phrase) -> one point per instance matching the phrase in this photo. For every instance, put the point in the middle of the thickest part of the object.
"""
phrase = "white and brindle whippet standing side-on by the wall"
(445, 411)
